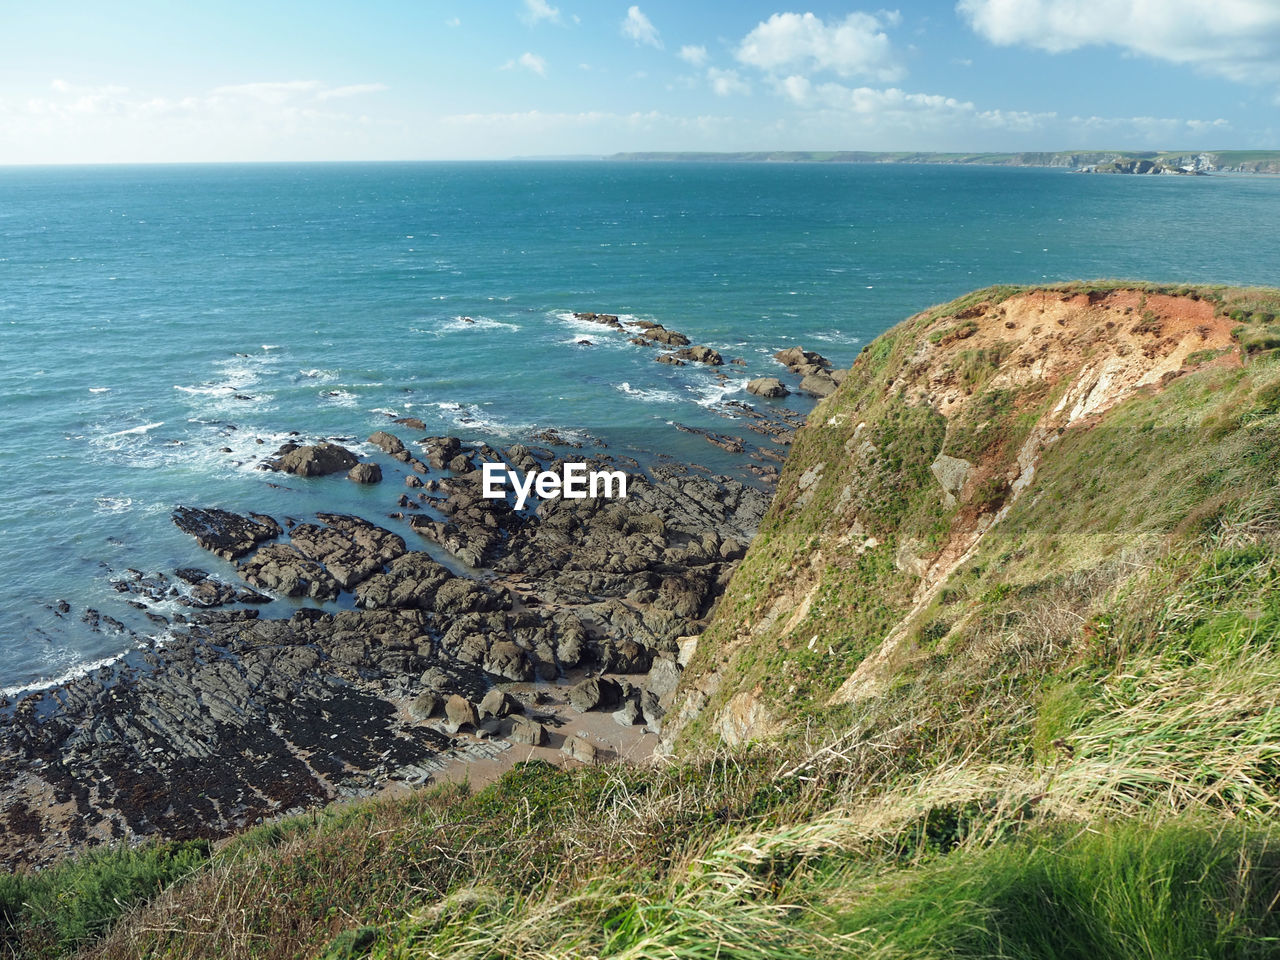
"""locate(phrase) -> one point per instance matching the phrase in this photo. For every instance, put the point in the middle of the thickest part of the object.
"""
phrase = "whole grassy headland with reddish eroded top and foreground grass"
(998, 678)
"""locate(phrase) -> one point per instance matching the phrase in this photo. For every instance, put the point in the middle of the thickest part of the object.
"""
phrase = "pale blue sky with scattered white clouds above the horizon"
(156, 81)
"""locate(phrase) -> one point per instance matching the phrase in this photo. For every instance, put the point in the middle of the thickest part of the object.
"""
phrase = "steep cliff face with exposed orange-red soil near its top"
(1009, 458)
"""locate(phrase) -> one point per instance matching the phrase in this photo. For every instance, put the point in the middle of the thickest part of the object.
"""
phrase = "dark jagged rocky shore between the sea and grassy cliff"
(403, 656)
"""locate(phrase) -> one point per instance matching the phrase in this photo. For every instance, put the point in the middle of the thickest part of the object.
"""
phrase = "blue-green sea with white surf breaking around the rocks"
(152, 317)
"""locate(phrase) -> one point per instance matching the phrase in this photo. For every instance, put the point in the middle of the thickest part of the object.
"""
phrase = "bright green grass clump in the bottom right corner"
(1126, 893)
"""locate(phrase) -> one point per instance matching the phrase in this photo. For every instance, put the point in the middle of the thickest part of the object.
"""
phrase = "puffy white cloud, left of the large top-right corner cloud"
(856, 47)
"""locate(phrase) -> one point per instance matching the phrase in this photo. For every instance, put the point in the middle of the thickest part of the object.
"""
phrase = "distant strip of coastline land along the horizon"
(1171, 162)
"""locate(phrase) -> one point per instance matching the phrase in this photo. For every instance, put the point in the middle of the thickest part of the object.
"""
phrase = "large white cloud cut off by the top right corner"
(1233, 39)
